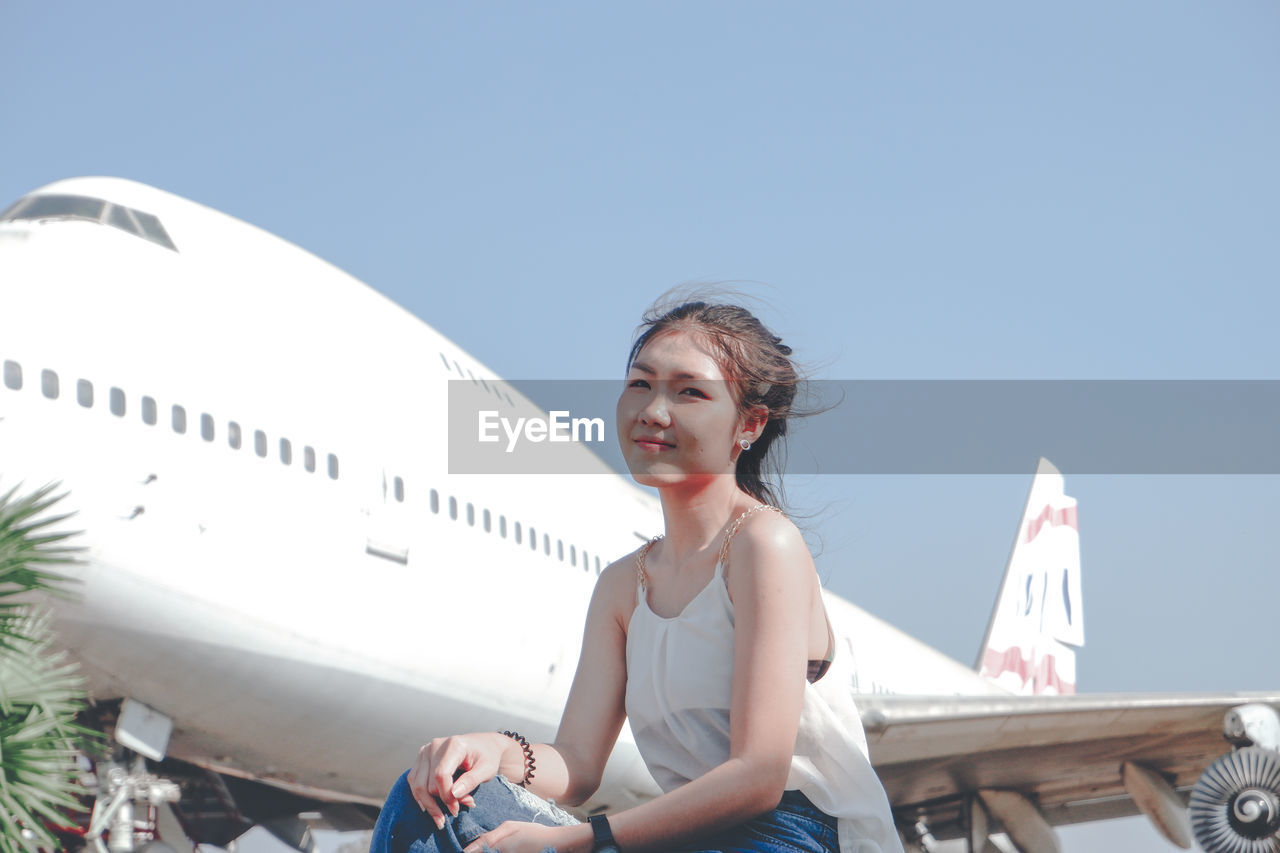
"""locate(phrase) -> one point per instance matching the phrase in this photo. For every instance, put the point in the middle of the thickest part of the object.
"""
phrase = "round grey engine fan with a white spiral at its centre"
(1236, 805)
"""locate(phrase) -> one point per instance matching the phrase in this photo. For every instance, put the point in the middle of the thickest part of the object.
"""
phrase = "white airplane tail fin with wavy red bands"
(1039, 619)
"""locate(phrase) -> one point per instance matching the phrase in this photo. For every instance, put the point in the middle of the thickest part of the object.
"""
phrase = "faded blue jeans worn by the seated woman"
(794, 827)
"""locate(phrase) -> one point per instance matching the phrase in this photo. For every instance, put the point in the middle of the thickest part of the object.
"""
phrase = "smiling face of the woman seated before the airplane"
(678, 421)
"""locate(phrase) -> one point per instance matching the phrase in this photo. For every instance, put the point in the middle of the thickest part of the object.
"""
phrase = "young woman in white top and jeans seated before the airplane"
(712, 640)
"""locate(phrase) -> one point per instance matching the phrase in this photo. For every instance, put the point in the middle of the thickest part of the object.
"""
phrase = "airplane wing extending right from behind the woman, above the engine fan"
(1063, 752)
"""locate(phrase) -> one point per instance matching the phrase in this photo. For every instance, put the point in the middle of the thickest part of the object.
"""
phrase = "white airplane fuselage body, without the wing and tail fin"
(277, 556)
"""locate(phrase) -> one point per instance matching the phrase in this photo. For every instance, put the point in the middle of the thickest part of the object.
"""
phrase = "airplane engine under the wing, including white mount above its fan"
(1236, 805)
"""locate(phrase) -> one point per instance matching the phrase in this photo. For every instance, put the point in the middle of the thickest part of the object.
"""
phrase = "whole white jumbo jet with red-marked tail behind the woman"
(286, 591)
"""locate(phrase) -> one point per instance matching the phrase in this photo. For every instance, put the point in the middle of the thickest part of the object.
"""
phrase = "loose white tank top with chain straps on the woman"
(680, 676)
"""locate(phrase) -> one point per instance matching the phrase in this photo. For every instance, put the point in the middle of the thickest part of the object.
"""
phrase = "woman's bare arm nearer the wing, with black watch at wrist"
(772, 583)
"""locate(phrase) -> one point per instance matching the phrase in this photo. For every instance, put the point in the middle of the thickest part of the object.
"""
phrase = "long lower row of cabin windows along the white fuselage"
(51, 387)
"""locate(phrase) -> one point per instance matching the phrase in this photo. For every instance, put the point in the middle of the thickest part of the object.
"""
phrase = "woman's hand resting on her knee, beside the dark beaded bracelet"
(449, 769)
